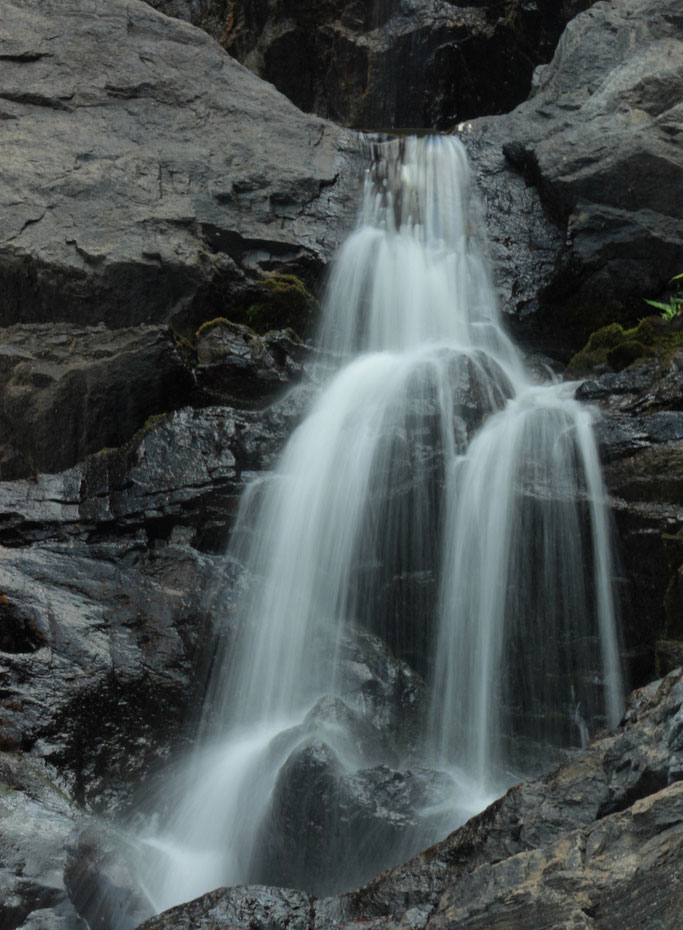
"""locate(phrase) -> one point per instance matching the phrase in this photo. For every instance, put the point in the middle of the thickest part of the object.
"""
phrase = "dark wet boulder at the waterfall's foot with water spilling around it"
(330, 827)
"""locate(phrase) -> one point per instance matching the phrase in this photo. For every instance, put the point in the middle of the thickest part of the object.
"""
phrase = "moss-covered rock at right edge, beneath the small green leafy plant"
(613, 348)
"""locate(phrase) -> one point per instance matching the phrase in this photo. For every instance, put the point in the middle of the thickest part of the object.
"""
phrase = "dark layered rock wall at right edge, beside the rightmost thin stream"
(640, 431)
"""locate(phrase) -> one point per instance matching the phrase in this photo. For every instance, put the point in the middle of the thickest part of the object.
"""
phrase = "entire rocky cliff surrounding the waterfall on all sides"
(149, 184)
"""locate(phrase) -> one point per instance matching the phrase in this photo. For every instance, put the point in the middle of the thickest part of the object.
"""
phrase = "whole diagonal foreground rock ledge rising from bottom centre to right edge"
(596, 844)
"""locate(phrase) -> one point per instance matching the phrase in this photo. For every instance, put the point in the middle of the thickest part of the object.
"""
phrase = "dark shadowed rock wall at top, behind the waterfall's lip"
(355, 62)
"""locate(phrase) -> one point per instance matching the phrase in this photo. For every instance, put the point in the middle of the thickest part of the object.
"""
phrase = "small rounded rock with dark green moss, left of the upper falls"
(284, 302)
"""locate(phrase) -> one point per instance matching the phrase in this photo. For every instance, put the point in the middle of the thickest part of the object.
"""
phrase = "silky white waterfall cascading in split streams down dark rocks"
(436, 515)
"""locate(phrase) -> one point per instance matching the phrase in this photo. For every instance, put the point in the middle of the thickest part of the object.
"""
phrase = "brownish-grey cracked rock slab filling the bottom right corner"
(619, 872)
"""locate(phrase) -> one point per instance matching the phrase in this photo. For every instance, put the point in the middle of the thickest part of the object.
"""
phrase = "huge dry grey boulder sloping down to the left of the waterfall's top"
(163, 194)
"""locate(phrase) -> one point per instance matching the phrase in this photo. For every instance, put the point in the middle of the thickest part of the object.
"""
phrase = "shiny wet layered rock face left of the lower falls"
(110, 581)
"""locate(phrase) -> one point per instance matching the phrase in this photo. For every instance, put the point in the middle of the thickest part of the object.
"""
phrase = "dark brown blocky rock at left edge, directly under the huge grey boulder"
(67, 391)
